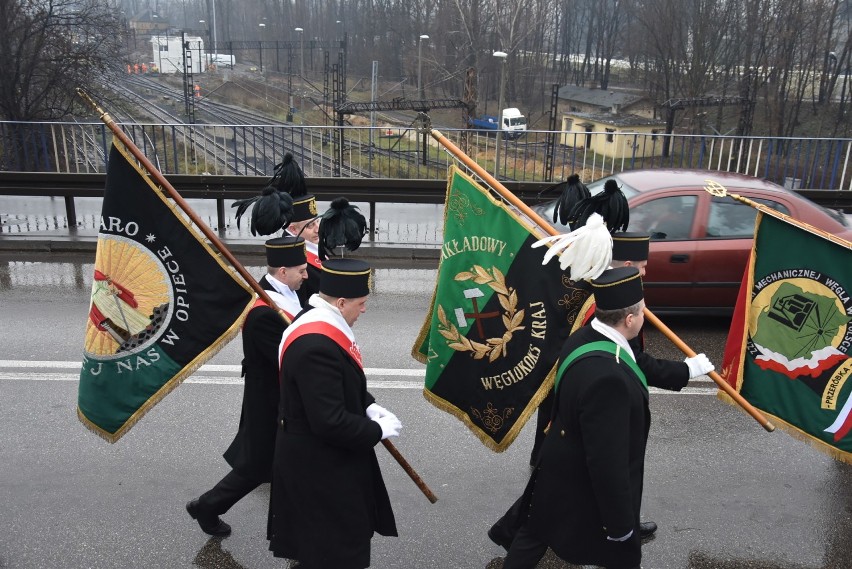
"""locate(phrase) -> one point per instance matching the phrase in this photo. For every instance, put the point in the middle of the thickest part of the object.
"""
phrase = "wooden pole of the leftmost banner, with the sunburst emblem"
(225, 252)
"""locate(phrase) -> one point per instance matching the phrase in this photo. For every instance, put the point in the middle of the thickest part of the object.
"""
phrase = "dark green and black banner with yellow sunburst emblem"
(162, 303)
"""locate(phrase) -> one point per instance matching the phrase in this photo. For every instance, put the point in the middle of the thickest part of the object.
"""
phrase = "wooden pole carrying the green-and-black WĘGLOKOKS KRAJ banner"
(667, 332)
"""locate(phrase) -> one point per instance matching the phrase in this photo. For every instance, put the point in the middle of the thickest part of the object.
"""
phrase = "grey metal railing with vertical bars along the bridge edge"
(406, 153)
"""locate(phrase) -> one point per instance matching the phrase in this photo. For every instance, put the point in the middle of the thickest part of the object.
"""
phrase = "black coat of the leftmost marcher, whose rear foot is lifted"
(251, 451)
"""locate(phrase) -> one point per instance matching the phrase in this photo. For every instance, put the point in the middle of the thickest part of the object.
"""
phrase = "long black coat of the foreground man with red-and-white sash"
(328, 495)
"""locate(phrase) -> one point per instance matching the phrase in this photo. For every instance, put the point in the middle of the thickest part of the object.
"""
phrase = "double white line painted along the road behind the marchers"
(13, 370)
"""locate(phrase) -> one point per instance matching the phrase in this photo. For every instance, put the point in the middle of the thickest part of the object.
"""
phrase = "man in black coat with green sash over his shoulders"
(584, 495)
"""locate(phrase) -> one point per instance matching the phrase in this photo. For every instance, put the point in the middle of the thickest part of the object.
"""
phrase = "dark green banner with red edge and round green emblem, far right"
(787, 352)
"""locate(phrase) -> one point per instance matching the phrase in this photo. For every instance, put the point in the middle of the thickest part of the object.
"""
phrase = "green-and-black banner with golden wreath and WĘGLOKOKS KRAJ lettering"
(498, 317)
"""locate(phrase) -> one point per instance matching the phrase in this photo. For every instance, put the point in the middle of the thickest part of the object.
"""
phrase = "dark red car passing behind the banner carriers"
(700, 243)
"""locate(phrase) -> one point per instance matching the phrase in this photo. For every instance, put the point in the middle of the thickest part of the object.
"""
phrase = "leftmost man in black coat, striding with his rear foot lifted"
(250, 454)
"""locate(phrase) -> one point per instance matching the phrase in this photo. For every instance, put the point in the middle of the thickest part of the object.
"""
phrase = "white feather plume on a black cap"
(587, 250)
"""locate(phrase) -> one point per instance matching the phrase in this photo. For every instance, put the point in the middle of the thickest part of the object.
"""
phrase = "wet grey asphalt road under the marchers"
(725, 493)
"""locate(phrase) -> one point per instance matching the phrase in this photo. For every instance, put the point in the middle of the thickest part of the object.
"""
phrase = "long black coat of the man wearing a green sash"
(588, 481)
